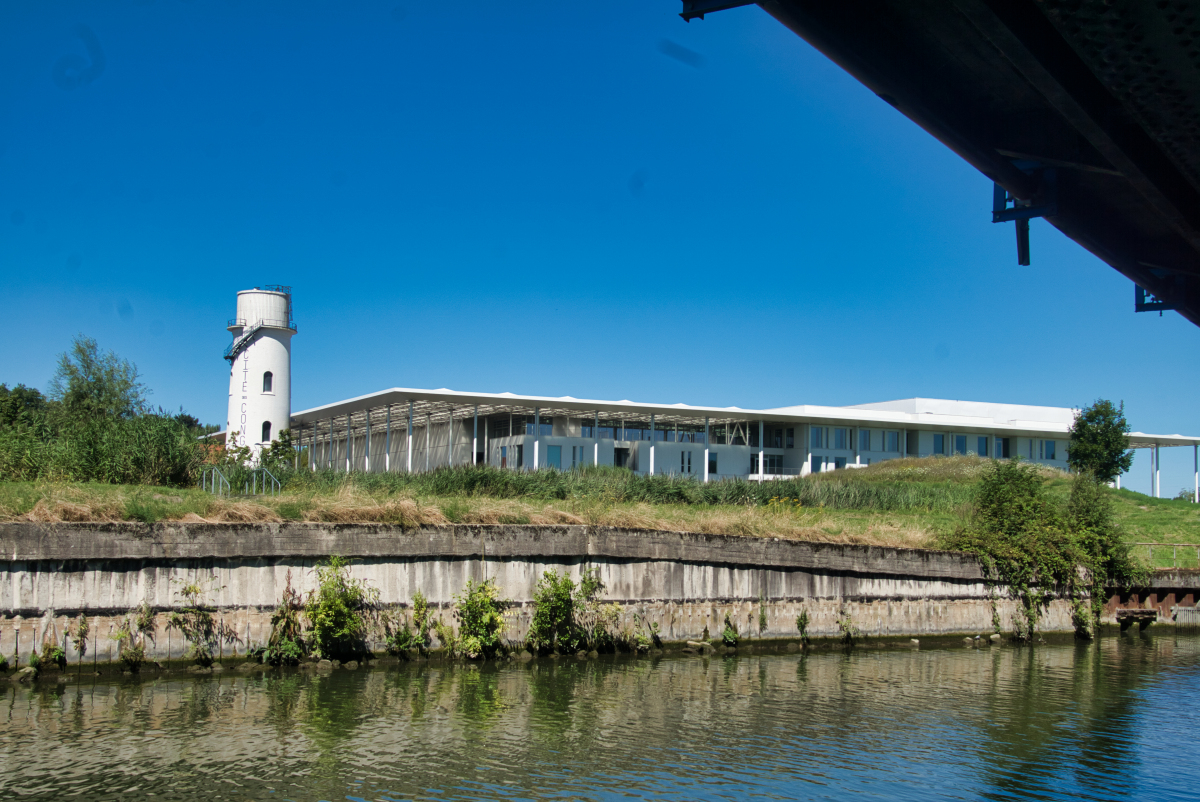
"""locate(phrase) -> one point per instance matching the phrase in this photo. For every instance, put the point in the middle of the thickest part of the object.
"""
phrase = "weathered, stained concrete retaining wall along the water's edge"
(685, 583)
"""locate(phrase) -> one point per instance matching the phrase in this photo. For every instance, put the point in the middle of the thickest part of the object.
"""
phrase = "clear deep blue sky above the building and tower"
(559, 199)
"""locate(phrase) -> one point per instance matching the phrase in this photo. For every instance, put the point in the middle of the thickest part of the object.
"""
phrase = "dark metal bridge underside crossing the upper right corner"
(1088, 112)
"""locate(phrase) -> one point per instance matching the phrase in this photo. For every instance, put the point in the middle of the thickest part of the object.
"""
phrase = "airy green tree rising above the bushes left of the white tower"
(94, 385)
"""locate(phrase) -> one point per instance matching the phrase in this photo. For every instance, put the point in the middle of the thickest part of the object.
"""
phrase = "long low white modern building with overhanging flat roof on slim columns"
(421, 430)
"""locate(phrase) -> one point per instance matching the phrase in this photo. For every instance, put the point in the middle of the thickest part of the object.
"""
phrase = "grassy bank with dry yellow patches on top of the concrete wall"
(895, 504)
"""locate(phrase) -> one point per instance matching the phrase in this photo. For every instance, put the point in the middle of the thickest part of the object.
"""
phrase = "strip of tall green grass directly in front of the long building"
(619, 486)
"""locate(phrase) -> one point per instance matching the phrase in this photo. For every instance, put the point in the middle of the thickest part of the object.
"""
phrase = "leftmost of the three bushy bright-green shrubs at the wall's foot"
(341, 612)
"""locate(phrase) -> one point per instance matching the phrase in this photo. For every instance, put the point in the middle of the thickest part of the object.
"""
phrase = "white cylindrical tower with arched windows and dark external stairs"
(261, 367)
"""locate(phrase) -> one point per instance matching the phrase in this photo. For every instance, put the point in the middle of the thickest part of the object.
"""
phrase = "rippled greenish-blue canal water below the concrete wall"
(1112, 721)
